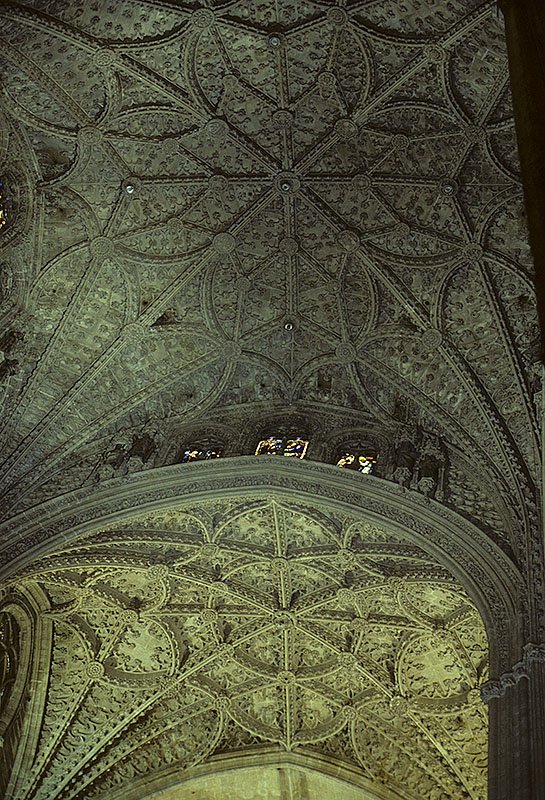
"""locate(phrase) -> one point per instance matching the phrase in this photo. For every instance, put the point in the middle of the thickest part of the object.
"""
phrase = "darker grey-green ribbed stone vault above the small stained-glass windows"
(260, 203)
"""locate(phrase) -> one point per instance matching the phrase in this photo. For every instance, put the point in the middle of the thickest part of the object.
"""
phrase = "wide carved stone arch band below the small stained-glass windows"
(490, 578)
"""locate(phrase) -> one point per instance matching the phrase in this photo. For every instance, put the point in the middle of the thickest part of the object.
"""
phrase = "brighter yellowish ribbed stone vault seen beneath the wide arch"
(206, 630)
